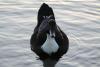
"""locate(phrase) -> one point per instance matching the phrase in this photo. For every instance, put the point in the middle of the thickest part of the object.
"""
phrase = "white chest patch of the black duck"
(50, 45)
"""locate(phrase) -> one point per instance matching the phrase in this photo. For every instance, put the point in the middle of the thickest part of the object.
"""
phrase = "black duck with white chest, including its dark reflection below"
(48, 41)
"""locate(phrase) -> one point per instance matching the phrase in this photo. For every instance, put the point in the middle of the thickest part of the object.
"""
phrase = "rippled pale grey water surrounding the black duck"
(80, 20)
